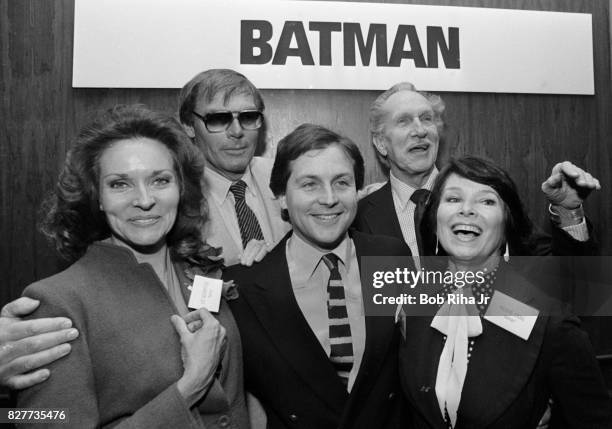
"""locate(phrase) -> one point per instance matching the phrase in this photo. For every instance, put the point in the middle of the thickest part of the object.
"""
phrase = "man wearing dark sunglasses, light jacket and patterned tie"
(222, 111)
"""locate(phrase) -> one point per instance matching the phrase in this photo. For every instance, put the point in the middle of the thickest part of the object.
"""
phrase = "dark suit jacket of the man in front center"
(287, 369)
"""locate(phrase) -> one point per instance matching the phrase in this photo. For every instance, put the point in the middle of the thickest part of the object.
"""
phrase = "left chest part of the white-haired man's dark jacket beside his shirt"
(381, 216)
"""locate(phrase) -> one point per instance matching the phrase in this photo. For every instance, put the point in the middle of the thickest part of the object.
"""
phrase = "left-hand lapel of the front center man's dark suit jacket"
(274, 304)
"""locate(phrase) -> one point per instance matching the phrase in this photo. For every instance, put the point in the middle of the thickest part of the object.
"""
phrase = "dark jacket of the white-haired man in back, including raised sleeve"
(376, 215)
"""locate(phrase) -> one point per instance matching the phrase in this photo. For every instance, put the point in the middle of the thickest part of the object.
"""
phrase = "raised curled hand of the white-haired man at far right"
(568, 185)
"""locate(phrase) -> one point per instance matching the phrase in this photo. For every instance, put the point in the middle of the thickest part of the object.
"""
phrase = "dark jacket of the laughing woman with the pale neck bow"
(509, 380)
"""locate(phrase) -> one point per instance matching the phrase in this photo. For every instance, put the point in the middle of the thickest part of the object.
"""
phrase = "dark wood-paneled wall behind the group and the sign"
(40, 113)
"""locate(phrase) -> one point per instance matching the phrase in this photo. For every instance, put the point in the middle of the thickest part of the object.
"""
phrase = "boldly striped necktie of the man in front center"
(340, 341)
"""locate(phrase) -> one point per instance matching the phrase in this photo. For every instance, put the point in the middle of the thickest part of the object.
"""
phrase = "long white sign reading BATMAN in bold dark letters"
(332, 45)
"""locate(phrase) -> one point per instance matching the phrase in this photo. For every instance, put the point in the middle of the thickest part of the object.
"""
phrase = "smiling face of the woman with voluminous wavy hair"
(139, 192)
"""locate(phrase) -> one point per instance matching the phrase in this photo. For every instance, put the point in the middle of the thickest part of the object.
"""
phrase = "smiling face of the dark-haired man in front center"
(321, 196)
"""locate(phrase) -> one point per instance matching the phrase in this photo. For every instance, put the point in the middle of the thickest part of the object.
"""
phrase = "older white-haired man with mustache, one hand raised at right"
(405, 129)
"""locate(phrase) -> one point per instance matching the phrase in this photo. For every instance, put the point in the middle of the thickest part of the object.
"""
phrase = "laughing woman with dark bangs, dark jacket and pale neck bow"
(463, 370)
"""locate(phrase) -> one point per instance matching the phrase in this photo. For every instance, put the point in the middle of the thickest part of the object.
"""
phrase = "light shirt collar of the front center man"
(304, 258)
